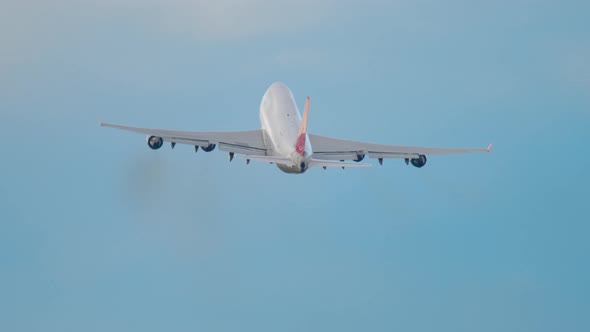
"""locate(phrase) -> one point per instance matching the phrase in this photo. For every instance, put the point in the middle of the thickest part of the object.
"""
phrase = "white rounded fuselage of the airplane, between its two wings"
(281, 124)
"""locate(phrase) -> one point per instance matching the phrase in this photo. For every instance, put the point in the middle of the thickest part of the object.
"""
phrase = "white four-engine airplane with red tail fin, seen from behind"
(283, 140)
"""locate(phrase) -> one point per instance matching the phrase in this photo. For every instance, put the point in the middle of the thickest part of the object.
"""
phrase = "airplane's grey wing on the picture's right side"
(328, 148)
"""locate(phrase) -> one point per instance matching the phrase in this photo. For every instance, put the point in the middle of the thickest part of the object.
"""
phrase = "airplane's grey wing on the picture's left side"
(249, 142)
